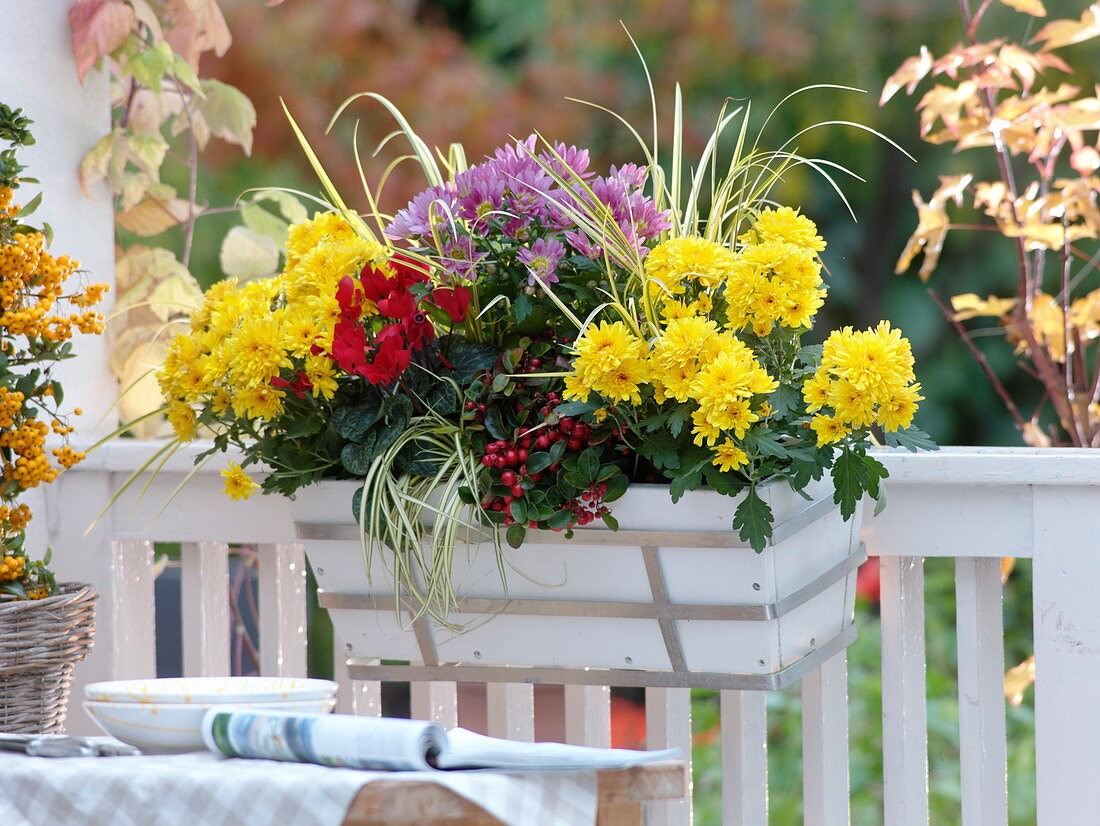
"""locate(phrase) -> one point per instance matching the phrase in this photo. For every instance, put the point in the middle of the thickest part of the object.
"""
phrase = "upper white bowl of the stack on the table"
(210, 690)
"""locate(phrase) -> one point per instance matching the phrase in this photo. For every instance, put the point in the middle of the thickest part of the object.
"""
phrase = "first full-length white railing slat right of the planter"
(905, 704)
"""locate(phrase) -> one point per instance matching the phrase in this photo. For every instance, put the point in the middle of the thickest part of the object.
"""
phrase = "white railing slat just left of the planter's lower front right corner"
(744, 759)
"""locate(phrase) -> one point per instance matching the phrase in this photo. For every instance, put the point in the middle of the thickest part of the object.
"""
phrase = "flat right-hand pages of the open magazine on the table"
(470, 751)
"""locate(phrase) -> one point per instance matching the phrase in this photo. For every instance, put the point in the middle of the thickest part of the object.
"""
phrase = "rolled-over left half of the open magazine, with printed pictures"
(329, 740)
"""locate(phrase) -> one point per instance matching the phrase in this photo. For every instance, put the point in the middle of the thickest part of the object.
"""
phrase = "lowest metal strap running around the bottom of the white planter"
(362, 670)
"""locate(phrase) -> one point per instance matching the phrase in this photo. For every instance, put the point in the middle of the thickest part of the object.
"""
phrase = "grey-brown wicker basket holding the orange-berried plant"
(40, 643)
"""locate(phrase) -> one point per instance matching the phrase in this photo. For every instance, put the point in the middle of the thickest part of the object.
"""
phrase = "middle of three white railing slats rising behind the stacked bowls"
(205, 609)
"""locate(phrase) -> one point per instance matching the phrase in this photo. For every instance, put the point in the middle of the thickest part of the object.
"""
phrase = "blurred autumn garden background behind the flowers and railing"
(479, 71)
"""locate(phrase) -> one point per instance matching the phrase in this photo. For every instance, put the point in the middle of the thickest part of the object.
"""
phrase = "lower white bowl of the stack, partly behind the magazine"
(162, 729)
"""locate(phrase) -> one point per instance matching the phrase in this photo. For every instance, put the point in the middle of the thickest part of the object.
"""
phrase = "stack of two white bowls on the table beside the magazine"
(164, 717)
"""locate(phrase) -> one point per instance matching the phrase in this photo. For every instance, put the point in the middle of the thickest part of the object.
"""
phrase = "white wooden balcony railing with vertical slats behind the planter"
(974, 505)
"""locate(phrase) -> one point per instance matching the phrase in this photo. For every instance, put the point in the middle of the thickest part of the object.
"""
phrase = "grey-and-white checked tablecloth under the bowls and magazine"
(204, 790)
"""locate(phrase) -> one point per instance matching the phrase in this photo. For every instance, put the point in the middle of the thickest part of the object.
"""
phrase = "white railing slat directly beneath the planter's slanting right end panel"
(826, 744)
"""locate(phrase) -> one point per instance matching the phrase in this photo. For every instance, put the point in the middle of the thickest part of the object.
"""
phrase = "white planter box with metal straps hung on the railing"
(670, 591)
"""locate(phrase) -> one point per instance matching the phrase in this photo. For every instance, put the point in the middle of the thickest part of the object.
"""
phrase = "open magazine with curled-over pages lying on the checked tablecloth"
(392, 744)
